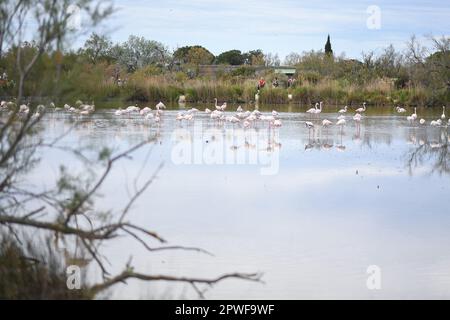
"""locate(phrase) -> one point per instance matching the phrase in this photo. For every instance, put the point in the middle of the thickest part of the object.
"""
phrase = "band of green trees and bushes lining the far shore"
(423, 70)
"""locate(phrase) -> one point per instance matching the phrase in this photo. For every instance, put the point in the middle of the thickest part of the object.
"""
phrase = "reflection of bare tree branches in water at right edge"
(435, 153)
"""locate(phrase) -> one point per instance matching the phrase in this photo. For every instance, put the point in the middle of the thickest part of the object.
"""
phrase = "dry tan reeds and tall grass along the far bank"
(89, 83)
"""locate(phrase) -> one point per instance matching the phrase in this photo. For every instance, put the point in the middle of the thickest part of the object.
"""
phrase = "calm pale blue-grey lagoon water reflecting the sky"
(333, 203)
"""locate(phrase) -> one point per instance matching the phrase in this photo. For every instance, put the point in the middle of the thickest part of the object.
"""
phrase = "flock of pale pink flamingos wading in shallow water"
(218, 114)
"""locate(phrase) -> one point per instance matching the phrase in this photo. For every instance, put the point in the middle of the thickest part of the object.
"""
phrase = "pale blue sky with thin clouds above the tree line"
(277, 26)
